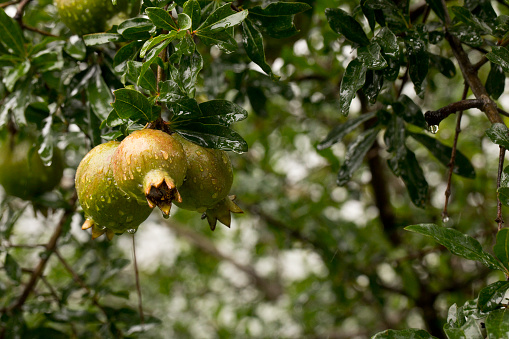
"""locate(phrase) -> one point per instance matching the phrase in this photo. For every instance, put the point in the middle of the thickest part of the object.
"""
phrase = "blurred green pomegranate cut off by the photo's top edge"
(92, 16)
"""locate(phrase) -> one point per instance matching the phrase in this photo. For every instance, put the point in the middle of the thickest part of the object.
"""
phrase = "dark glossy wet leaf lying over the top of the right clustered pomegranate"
(213, 136)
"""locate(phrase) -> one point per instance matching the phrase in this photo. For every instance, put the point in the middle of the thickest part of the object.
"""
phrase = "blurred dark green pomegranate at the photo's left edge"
(22, 172)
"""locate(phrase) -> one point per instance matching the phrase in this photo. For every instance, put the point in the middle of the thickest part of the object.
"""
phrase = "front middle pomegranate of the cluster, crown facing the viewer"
(150, 165)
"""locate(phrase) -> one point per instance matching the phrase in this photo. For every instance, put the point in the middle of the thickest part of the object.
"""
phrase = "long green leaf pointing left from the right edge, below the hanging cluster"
(457, 243)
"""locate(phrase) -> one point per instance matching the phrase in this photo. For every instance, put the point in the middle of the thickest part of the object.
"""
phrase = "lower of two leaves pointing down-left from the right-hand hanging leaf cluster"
(355, 154)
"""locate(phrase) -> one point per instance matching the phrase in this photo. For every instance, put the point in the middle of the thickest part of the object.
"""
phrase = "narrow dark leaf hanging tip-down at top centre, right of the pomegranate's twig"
(253, 44)
